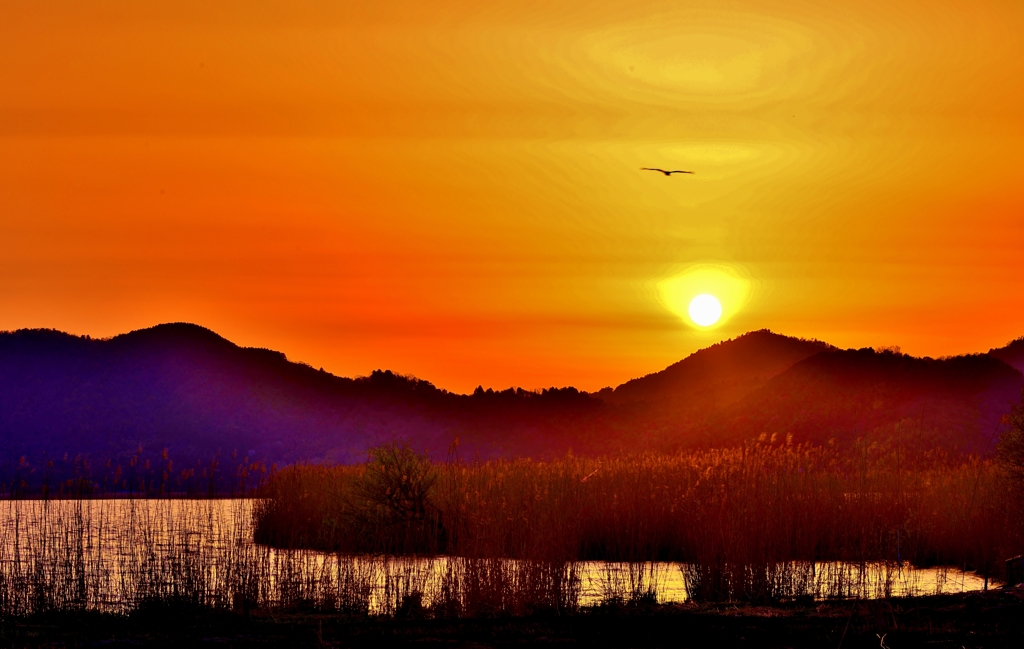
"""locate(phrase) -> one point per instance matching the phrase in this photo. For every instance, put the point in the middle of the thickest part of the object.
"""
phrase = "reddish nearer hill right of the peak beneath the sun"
(842, 395)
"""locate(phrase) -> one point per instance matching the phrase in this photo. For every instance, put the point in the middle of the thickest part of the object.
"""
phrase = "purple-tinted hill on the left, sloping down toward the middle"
(184, 388)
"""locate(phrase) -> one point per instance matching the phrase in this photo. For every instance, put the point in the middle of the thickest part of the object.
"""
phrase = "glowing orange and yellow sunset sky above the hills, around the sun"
(452, 190)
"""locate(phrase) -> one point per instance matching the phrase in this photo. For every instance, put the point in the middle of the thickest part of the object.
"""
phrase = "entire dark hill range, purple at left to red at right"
(184, 388)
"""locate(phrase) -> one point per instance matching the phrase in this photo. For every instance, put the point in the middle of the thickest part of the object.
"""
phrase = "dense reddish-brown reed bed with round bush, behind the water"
(754, 524)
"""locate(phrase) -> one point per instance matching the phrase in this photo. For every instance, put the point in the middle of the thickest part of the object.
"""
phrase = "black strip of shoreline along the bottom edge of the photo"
(995, 619)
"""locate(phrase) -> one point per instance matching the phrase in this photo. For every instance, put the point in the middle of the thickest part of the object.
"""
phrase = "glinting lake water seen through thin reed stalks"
(118, 555)
